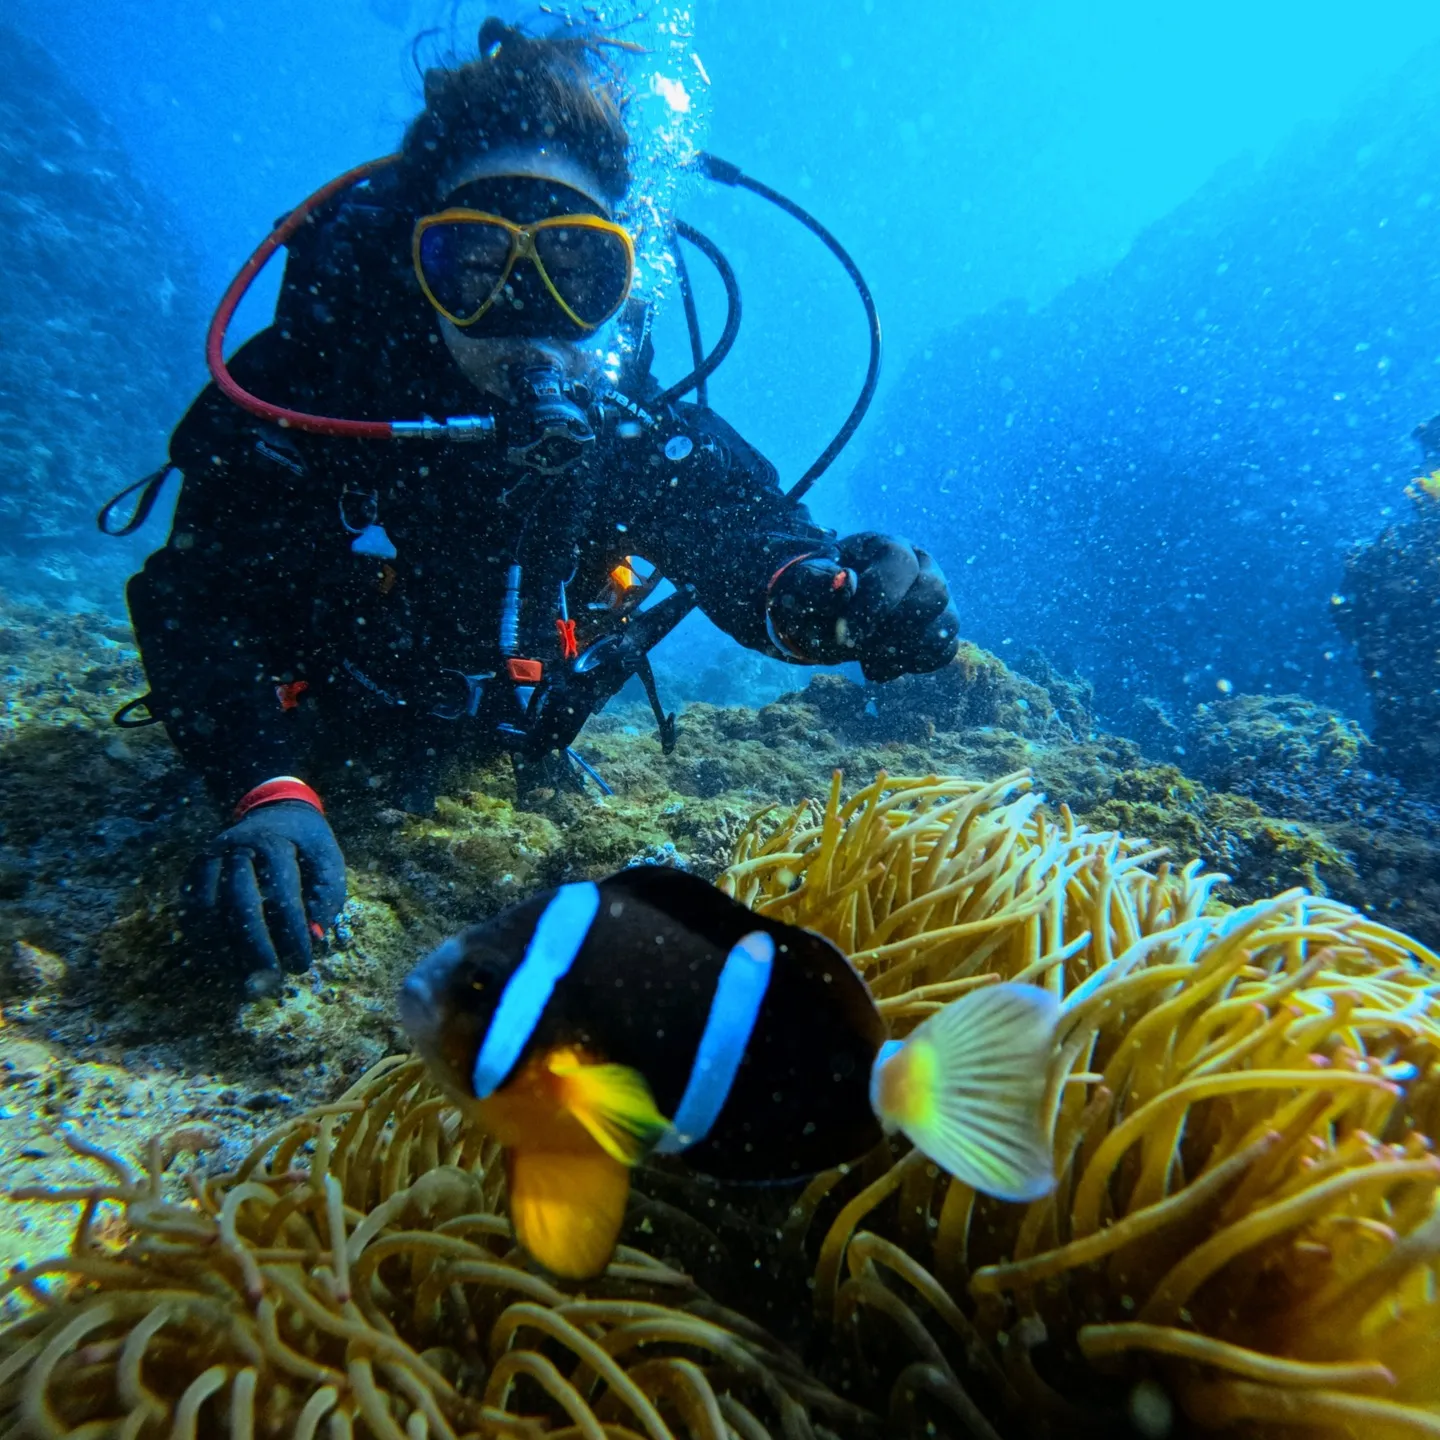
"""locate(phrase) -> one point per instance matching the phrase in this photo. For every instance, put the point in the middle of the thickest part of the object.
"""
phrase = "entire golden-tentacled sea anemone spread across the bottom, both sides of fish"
(1243, 1228)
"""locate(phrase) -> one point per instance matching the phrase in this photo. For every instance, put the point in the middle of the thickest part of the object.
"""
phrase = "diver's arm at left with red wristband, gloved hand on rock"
(221, 618)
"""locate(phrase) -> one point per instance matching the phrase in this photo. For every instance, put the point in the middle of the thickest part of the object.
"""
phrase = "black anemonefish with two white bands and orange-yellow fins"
(601, 1023)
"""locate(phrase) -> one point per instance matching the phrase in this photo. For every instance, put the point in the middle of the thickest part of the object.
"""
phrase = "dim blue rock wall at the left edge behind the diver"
(100, 330)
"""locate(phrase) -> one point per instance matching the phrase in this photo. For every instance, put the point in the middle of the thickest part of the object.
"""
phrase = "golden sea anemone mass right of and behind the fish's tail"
(1245, 1102)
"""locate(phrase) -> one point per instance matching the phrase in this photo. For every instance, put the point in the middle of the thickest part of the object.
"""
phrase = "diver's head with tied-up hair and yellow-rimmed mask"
(518, 166)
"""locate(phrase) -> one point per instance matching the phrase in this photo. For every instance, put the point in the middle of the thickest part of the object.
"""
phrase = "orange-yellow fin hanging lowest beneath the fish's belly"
(568, 1209)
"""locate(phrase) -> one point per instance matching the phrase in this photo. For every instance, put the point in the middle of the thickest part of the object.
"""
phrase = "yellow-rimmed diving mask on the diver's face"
(470, 269)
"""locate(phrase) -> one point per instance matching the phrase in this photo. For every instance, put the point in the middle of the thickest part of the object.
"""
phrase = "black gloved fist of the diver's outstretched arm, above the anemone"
(883, 603)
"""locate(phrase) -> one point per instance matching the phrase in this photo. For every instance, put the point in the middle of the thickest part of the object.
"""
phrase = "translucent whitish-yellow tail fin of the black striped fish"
(968, 1088)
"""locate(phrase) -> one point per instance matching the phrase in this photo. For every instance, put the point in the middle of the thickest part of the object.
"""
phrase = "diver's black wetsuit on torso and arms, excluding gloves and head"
(274, 647)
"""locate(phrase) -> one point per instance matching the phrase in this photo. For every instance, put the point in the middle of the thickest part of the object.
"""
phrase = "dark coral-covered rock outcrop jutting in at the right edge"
(1390, 613)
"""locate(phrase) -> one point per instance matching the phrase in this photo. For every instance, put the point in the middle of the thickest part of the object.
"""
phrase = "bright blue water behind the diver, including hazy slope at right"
(1157, 283)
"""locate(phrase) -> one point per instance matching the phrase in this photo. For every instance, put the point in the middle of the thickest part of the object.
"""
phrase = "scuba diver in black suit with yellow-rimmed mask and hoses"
(349, 604)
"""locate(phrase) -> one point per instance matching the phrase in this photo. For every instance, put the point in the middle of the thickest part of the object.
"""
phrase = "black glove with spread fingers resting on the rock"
(266, 889)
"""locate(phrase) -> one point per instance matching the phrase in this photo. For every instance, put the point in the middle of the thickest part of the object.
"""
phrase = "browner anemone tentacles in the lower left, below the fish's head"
(354, 1277)
